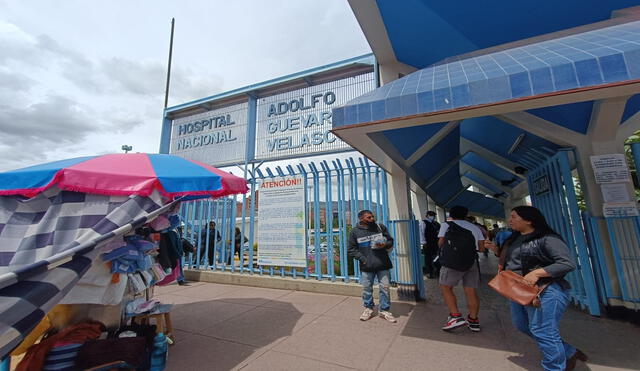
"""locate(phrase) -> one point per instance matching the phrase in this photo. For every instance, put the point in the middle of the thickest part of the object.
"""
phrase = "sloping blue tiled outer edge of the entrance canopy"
(588, 59)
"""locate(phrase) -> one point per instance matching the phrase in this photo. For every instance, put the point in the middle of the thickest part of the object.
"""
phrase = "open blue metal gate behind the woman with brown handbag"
(553, 192)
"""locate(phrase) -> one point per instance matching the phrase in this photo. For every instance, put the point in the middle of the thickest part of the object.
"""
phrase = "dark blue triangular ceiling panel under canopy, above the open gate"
(574, 116)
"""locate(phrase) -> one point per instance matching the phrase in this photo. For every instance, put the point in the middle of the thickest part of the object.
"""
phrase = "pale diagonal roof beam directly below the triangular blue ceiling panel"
(542, 128)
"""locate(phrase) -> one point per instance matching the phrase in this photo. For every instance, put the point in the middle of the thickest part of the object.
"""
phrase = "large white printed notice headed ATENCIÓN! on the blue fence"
(281, 223)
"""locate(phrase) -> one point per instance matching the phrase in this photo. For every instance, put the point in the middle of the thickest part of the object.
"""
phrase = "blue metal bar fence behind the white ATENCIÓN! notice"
(334, 194)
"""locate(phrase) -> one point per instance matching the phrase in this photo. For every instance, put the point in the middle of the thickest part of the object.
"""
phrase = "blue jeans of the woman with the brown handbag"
(542, 325)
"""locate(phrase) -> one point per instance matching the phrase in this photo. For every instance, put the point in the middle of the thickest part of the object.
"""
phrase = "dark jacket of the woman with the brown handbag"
(548, 252)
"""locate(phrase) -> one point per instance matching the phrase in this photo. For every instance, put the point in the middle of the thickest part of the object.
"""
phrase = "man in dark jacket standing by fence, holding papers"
(370, 244)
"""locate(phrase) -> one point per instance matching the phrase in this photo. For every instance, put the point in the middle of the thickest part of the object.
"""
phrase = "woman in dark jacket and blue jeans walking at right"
(539, 254)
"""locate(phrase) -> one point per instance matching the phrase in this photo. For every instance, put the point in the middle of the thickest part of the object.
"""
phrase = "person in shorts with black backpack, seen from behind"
(459, 241)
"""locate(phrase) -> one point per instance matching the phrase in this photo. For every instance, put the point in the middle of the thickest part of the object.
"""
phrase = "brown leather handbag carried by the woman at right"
(513, 286)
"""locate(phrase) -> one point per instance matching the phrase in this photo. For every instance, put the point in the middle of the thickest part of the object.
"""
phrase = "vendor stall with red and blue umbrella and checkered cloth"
(93, 231)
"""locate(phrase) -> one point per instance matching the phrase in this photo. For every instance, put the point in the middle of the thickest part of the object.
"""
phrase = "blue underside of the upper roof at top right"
(451, 28)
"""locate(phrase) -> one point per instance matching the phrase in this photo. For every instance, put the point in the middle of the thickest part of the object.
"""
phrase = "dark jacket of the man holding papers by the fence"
(371, 260)
